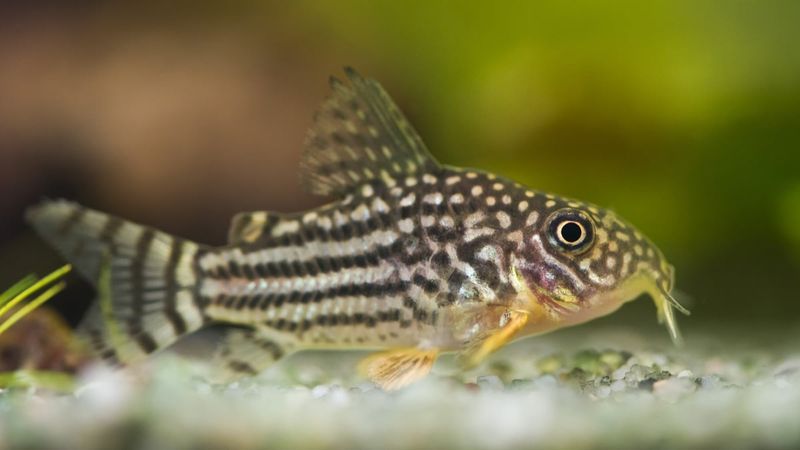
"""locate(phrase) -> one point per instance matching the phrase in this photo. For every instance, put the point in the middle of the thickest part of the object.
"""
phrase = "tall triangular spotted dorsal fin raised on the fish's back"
(359, 134)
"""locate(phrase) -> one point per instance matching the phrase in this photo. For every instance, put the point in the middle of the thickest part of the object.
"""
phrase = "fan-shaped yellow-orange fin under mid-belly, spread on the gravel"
(395, 369)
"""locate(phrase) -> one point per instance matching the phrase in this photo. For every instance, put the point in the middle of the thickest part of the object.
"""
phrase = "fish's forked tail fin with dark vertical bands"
(145, 278)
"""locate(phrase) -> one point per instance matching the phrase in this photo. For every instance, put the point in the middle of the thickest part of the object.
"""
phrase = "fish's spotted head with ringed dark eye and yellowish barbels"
(583, 262)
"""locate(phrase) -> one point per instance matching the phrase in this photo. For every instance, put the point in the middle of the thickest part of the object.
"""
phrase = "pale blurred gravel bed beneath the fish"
(558, 391)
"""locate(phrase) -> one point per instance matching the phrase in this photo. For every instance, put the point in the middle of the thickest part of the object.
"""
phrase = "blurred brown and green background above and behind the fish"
(683, 116)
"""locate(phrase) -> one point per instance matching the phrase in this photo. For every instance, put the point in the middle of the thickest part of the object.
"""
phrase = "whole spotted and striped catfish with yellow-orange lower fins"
(410, 258)
